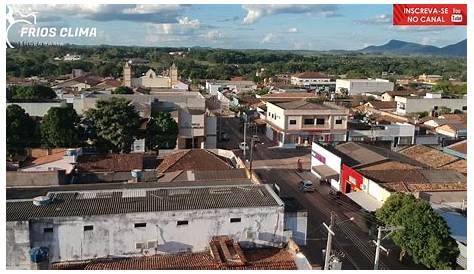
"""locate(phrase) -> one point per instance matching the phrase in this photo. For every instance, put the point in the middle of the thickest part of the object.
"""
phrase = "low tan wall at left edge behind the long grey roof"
(38, 178)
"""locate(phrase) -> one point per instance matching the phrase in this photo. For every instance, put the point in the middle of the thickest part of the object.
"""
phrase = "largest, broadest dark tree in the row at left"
(115, 123)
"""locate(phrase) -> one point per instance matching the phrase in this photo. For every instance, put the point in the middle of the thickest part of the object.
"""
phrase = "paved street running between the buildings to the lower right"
(275, 165)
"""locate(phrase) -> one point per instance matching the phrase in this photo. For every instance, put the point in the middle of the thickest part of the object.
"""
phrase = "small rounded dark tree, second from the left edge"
(60, 128)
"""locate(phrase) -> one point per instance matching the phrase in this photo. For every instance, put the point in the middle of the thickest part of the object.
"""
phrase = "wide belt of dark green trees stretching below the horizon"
(203, 63)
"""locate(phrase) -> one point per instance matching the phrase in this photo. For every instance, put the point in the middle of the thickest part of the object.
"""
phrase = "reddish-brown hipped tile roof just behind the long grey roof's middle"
(193, 159)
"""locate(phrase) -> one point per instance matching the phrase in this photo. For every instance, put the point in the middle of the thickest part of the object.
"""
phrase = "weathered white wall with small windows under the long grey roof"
(115, 235)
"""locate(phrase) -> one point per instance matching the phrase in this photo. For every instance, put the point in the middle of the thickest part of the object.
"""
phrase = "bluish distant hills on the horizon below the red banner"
(398, 47)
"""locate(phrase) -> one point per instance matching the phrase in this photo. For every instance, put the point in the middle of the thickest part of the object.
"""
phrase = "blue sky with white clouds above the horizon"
(283, 27)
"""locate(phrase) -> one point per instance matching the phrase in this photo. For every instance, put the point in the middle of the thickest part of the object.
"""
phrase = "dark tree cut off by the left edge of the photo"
(21, 131)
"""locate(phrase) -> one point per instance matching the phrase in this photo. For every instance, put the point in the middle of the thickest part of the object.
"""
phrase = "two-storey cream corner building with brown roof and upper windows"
(302, 122)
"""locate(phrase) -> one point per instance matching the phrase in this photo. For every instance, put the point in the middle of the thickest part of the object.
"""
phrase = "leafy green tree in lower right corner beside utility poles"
(425, 235)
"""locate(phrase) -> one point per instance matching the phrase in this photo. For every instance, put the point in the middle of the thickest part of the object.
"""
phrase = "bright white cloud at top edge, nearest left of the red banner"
(257, 12)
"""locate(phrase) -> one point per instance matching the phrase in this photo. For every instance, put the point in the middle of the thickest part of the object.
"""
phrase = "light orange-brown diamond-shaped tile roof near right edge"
(427, 155)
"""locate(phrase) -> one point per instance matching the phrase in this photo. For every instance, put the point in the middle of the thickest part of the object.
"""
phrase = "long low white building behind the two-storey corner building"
(359, 86)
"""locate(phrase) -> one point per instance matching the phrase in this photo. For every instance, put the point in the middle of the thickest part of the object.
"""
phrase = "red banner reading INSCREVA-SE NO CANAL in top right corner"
(430, 14)
